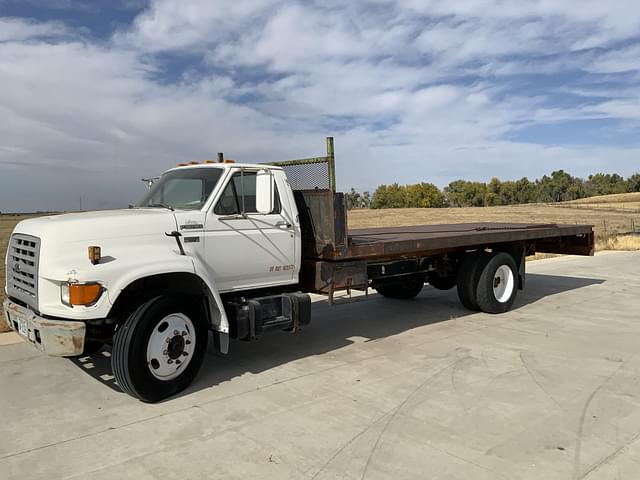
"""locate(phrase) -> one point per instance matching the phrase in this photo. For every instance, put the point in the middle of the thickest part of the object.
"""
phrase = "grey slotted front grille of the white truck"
(22, 268)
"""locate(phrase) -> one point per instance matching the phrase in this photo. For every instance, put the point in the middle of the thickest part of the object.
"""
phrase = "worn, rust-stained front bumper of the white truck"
(60, 338)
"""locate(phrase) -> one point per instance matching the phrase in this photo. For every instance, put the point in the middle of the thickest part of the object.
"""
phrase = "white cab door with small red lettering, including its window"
(243, 248)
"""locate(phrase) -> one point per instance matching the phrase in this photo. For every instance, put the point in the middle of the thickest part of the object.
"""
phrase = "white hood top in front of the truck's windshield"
(100, 225)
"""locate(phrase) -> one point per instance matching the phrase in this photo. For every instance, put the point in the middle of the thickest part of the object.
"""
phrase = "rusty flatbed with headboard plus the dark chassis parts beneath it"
(335, 257)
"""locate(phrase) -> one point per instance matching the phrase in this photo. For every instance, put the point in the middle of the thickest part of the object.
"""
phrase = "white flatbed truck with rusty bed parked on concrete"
(235, 249)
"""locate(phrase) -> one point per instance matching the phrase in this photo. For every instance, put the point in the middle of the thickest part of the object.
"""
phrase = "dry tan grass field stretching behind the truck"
(612, 215)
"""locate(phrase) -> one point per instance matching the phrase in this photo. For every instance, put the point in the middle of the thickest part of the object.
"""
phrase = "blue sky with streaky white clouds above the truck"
(96, 95)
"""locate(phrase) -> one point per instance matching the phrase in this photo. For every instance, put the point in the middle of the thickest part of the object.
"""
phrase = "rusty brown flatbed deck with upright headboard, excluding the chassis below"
(335, 258)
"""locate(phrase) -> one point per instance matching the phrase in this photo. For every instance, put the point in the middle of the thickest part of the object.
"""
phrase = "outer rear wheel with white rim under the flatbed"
(498, 284)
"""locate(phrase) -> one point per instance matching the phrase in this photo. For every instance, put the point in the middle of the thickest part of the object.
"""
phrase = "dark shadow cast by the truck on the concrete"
(333, 328)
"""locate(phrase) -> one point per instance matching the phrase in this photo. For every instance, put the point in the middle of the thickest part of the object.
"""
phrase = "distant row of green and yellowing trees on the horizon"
(557, 187)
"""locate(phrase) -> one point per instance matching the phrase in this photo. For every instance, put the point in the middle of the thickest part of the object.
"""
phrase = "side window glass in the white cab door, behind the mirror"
(239, 196)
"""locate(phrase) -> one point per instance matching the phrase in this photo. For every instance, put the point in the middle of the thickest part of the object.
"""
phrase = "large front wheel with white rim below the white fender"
(158, 350)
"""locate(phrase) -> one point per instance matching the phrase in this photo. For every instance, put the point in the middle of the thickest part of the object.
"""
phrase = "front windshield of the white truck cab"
(185, 189)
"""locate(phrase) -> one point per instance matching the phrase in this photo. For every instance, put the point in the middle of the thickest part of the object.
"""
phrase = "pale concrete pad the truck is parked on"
(371, 389)
